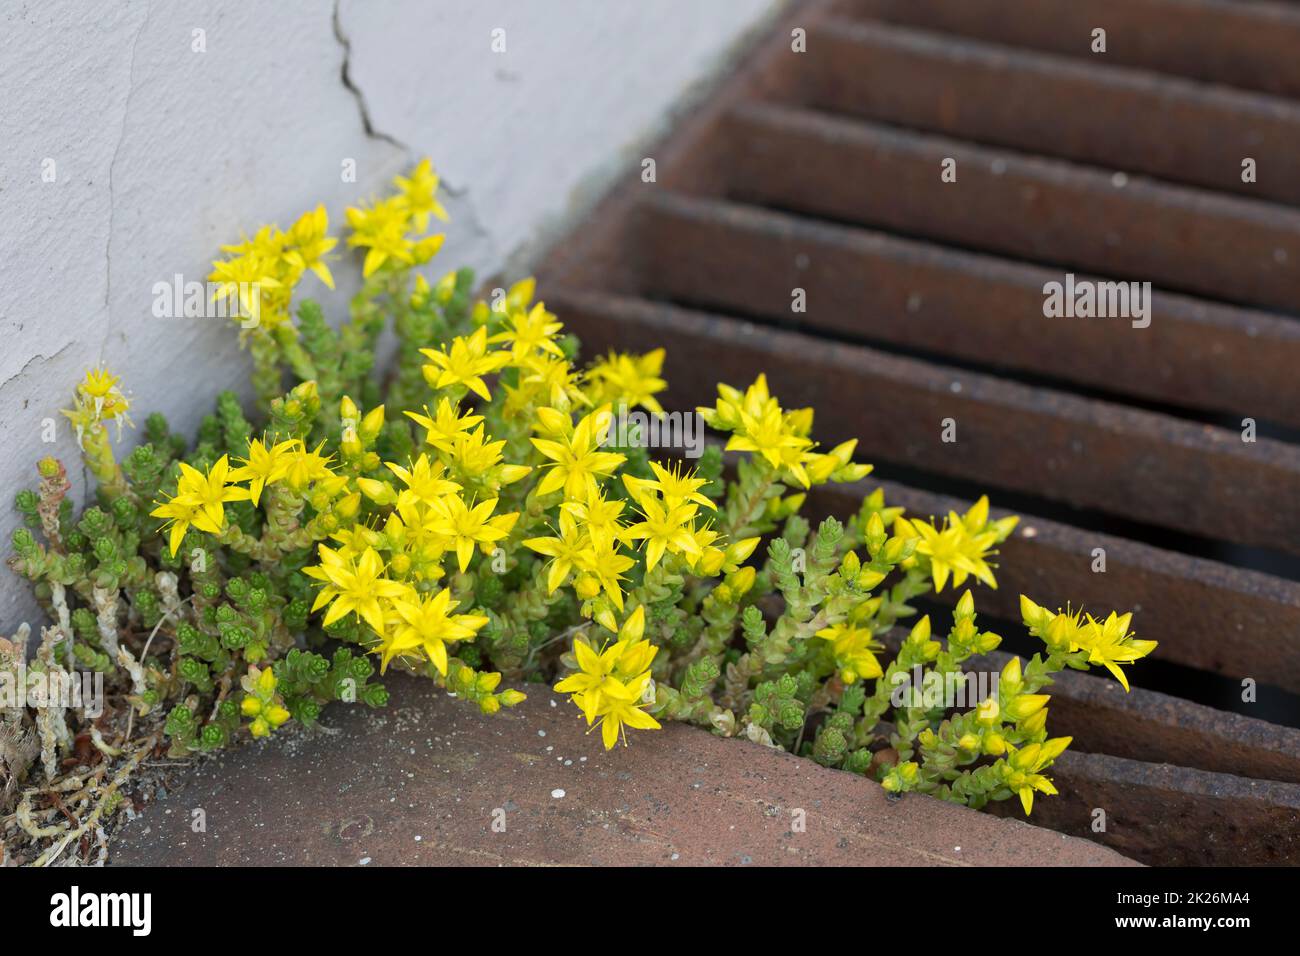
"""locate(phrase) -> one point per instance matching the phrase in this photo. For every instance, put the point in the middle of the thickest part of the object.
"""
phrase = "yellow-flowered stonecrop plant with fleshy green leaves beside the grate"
(474, 518)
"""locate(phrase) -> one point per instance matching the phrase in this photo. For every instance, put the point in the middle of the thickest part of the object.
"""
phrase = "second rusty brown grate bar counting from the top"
(1052, 105)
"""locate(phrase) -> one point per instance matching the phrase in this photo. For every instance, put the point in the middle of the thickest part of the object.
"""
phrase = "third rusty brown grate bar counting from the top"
(1045, 211)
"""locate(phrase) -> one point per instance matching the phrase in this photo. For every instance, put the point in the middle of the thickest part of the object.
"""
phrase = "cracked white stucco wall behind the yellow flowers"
(161, 153)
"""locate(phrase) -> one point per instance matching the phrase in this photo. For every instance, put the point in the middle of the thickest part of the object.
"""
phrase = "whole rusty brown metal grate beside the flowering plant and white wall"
(925, 301)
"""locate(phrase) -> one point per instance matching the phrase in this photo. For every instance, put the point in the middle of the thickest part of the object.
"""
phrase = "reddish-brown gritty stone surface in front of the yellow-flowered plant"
(427, 781)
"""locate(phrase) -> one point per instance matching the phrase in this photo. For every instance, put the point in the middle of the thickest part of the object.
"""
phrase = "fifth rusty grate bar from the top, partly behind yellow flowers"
(1094, 455)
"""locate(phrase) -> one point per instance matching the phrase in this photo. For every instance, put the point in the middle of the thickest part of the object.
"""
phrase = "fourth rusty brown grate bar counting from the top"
(876, 287)
